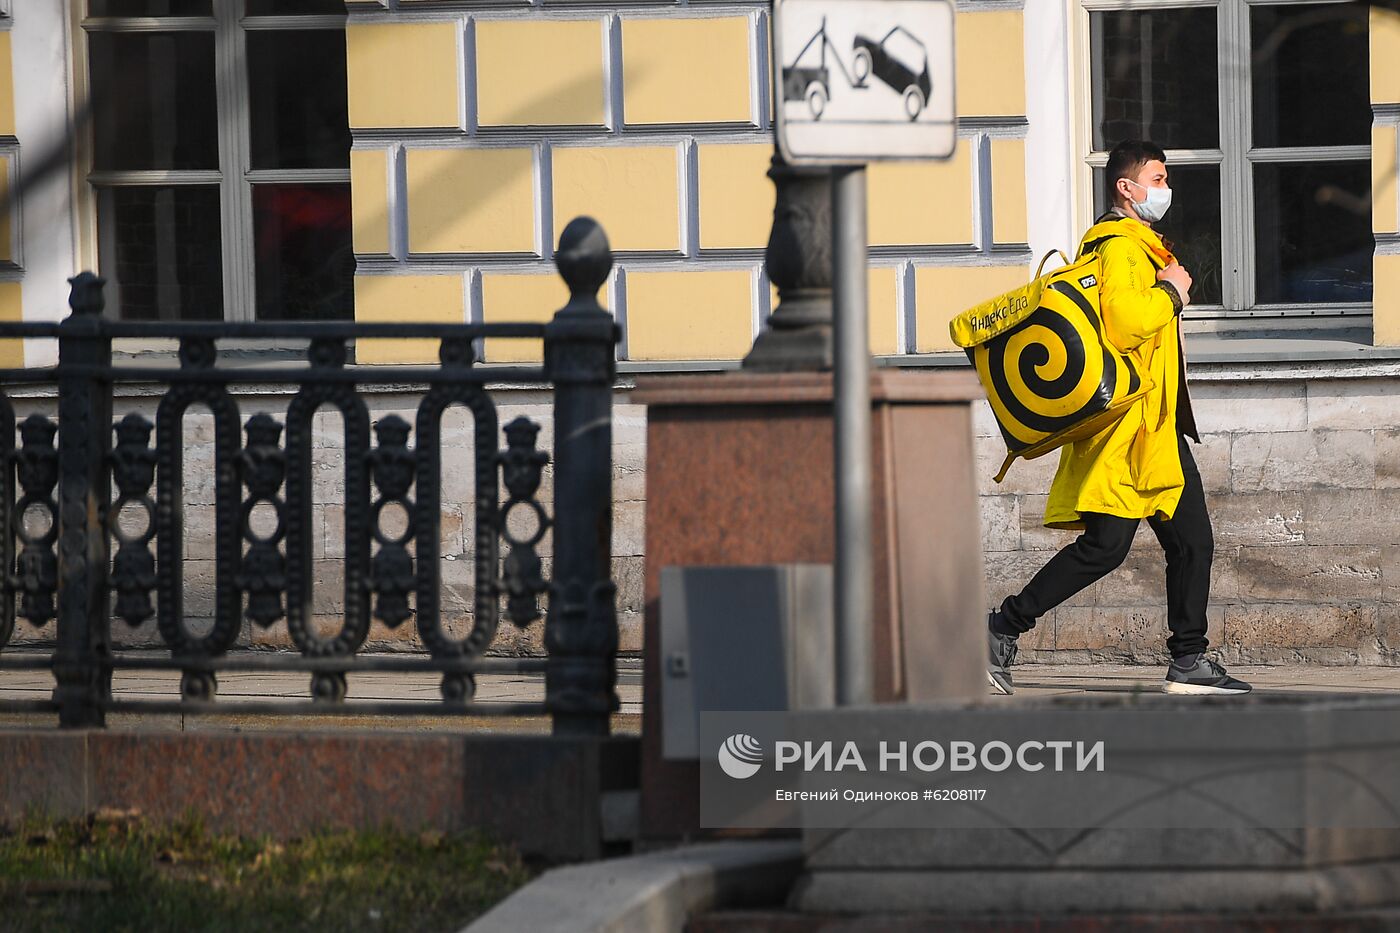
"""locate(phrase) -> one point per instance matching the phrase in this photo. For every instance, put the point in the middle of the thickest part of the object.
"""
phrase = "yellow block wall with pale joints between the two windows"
(654, 121)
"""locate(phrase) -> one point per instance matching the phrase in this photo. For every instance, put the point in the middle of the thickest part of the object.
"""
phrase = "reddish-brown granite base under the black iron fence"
(554, 798)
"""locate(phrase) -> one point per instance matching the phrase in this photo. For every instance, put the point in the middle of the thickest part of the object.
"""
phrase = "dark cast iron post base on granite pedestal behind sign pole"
(799, 336)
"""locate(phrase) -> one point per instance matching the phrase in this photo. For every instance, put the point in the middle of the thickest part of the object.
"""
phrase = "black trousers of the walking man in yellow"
(1186, 540)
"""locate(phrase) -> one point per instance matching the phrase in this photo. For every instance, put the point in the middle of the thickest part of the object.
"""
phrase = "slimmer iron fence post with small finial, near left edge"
(82, 662)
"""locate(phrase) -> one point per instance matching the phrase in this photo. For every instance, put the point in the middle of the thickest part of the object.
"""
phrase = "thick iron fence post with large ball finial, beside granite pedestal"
(582, 626)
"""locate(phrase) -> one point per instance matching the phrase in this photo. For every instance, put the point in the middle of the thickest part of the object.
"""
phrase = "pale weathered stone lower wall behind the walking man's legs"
(1301, 467)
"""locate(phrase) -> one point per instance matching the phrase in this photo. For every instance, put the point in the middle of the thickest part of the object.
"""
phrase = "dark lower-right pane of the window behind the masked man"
(1312, 228)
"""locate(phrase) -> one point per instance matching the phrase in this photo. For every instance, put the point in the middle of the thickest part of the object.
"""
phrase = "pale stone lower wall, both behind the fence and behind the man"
(1303, 476)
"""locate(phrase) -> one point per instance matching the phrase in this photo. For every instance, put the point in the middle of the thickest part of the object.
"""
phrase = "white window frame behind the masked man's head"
(1237, 155)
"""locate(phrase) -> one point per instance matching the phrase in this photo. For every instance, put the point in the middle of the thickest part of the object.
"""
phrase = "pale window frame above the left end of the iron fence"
(236, 176)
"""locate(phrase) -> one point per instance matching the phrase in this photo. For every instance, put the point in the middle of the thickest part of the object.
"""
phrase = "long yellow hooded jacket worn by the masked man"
(1133, 469)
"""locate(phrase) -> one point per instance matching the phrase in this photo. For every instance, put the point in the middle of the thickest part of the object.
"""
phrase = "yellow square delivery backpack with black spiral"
(1049, 371)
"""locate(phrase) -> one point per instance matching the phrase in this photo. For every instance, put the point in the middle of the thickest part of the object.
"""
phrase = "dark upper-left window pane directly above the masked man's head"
(1156, 78)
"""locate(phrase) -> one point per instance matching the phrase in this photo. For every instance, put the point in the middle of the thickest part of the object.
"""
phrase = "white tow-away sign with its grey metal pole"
(857, 82)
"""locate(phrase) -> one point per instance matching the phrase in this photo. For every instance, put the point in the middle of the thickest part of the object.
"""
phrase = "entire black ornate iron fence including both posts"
(68, 557)
